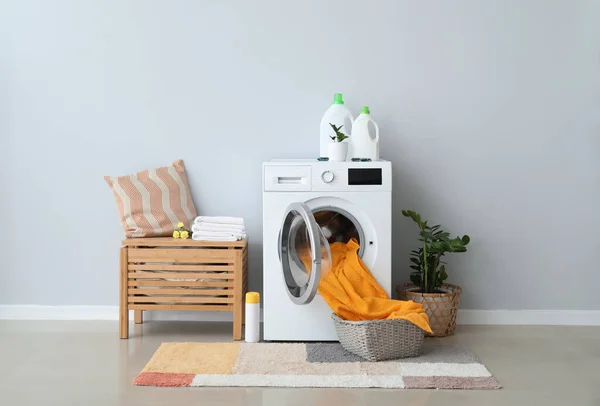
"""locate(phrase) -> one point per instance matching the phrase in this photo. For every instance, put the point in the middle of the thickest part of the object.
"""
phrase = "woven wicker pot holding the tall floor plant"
(441, 308)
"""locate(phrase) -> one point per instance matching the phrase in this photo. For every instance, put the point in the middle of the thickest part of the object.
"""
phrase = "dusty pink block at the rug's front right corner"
(450, 382)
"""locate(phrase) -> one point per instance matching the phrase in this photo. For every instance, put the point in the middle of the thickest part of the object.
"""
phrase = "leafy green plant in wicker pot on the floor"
(441, 300)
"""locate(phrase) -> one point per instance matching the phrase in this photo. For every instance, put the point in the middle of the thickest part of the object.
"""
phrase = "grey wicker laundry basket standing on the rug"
(379, 340)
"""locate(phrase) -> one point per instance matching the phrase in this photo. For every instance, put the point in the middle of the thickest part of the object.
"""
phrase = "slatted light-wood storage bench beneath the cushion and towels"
(173, 274)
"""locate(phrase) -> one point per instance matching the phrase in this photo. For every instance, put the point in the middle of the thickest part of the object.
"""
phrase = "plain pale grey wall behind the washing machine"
(489, 111)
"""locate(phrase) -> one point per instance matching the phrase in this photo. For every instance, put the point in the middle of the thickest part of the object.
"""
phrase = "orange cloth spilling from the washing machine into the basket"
(353, 293)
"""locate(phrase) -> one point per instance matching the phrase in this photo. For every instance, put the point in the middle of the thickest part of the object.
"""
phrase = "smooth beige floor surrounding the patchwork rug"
(84, 363)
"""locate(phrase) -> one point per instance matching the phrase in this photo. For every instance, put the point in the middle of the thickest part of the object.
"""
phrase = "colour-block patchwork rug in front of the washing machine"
(315, 365)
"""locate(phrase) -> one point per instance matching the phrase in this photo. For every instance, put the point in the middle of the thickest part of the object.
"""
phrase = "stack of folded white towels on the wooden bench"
(207, 228)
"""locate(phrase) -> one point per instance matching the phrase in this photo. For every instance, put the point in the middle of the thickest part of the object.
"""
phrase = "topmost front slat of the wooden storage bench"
(180, 256)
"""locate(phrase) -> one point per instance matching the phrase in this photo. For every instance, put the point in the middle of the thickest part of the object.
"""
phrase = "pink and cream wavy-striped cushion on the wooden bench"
(152, 202)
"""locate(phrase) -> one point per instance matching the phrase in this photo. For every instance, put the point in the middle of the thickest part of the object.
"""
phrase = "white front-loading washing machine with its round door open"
(307, 206)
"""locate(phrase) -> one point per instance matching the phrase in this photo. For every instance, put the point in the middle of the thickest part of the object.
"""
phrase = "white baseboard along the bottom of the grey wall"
(465, 316)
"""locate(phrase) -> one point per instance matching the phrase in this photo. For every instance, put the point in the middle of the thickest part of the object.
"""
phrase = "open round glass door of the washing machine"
(304, 253)
